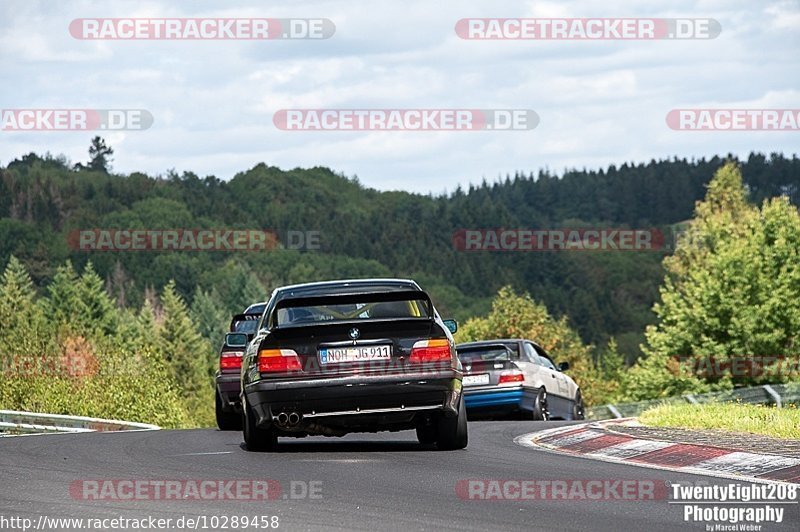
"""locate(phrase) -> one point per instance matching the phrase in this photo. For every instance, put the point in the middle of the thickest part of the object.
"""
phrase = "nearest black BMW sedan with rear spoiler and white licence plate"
(336, 357)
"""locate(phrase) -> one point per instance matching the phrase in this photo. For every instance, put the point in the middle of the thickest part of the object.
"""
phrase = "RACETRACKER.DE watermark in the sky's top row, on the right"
(587, 29)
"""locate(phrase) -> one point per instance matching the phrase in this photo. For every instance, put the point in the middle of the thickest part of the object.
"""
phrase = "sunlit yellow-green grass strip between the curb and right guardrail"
(732, 417)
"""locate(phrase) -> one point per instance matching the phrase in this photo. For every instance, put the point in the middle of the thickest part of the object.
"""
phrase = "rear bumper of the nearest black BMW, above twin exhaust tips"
(357, 399)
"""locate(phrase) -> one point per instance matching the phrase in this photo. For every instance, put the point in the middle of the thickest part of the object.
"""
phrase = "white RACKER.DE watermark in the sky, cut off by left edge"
(75, 119)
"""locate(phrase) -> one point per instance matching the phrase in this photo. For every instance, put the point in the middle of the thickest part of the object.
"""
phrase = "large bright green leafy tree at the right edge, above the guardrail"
(731, 293)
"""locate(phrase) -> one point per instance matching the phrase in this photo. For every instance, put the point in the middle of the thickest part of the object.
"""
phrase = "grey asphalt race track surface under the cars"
(367, 482)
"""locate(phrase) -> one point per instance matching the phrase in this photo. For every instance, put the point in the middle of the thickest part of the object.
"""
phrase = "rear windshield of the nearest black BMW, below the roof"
(353, 311)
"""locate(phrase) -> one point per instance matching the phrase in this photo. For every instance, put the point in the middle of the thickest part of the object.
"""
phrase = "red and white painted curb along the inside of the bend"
(591, 440)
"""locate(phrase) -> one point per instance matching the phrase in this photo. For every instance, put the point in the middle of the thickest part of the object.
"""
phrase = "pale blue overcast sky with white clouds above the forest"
(599, 102)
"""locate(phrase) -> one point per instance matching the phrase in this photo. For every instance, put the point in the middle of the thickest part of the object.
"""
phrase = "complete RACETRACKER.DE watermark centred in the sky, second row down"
(405, 119)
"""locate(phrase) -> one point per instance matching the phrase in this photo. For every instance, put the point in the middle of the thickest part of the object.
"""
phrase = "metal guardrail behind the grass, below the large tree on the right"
(776, 394)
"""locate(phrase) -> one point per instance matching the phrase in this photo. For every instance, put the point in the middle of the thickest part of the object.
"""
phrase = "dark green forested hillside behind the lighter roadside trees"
(360, 232)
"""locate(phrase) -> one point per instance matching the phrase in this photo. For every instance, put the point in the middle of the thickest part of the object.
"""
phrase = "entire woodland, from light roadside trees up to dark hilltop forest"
(93, 332)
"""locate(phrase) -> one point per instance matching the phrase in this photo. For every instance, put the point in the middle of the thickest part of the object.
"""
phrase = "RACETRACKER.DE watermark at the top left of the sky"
(193, 29)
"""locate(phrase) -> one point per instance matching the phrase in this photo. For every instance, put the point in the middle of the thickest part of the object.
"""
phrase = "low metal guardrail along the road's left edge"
(14, 422)
